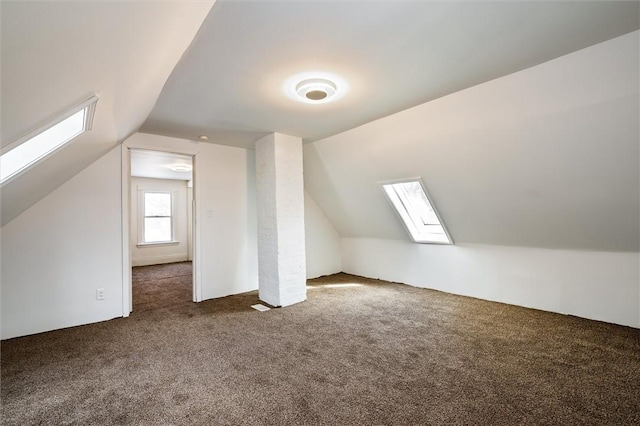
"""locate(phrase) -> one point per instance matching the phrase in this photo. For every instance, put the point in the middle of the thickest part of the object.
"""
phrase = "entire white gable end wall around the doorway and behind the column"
(59, 251)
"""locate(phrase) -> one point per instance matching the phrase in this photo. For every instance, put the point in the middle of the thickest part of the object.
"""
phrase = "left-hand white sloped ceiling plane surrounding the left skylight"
(57, 54)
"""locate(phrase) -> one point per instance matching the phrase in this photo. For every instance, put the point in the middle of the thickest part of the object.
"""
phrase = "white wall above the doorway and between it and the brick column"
(225, 216)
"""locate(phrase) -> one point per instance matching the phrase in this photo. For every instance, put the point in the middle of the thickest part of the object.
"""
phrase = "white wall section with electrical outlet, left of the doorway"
(58, 252)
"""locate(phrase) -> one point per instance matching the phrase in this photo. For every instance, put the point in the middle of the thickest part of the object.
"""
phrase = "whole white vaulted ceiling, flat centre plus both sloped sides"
(185, 69)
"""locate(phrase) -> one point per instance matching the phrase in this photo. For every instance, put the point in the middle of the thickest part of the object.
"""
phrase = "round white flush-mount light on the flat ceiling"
(315, 87)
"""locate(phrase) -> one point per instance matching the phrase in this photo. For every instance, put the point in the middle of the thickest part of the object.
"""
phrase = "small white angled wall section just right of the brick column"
(322, 241)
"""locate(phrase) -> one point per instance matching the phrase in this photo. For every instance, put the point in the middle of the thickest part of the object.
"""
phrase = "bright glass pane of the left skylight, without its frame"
(40, 145)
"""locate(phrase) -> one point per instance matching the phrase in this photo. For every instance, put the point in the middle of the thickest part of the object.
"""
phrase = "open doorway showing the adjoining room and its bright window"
(161, 229)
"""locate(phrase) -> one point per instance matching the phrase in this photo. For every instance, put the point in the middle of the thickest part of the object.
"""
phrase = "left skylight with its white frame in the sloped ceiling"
(28, 151)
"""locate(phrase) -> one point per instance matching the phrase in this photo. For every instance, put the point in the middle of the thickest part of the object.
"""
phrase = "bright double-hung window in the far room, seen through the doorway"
(157, 221)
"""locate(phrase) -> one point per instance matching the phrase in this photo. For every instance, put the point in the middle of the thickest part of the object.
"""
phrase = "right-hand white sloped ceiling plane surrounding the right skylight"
(547, 157)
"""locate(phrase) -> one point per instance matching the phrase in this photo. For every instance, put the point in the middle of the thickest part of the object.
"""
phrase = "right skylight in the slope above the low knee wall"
(412, 205)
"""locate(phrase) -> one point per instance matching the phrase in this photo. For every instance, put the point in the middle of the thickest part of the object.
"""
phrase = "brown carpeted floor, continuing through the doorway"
(358, 351)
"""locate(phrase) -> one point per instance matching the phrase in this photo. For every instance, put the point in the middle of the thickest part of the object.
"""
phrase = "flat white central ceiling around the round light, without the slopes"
(393, 55)
